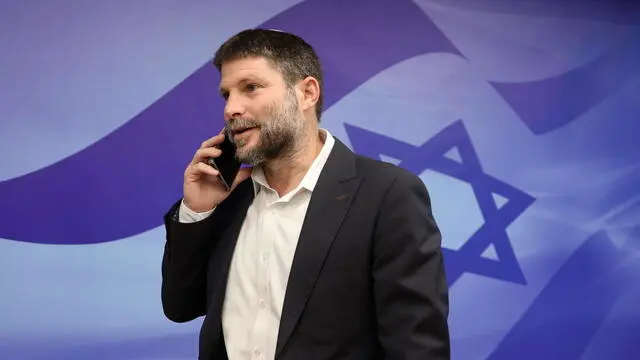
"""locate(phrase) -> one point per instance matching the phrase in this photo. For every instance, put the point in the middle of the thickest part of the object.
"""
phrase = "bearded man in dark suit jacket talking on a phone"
(316, 252)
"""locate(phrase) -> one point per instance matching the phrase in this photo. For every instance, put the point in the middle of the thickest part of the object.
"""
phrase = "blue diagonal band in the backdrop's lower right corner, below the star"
(570, 310)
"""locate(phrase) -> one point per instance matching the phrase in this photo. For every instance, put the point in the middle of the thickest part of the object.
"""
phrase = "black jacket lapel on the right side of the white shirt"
(329, 204)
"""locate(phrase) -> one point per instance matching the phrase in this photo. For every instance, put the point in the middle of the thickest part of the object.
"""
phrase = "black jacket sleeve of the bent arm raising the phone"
(187, 249)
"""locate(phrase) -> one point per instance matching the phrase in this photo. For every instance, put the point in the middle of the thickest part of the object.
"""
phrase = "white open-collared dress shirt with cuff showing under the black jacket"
(262, 261)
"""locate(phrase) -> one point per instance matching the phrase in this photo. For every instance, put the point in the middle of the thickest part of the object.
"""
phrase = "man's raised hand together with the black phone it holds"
(206, 186)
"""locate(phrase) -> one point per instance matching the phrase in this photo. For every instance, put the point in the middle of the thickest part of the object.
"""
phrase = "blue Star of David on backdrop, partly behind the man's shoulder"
(492, 233)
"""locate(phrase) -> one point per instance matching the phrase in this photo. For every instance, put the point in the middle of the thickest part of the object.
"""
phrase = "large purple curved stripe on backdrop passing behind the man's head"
(123, 184)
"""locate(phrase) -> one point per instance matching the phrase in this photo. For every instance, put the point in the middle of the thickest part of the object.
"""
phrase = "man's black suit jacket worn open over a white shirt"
(367, 280)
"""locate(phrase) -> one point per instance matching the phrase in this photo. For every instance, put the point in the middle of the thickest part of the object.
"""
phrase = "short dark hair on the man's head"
(290, 54)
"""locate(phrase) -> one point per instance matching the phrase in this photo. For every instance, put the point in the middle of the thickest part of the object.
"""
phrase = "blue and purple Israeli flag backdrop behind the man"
(521, 117)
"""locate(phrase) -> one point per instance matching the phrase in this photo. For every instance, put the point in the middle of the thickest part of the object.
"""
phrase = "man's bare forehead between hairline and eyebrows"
(235, 71)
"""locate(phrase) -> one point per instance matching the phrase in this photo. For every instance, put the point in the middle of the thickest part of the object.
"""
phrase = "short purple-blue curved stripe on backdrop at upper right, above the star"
(552, 103)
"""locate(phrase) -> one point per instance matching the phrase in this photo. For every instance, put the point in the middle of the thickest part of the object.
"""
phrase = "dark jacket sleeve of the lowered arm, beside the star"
(410, 287)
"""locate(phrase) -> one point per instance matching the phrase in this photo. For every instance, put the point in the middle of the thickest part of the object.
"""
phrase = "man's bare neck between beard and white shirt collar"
(285, 174)
